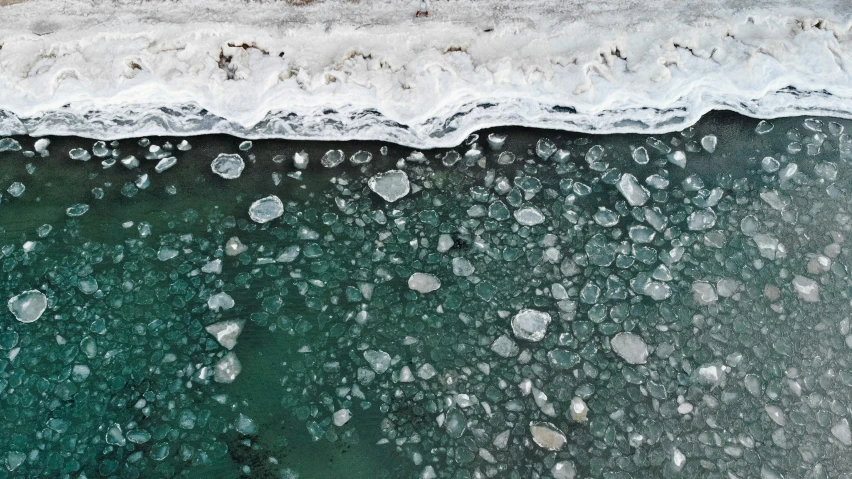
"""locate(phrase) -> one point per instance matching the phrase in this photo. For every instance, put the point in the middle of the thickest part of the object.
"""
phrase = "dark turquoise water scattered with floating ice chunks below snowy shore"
(527, 310)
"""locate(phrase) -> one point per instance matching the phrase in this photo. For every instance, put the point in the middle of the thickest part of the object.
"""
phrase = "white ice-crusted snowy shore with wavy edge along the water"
(342, 70)
